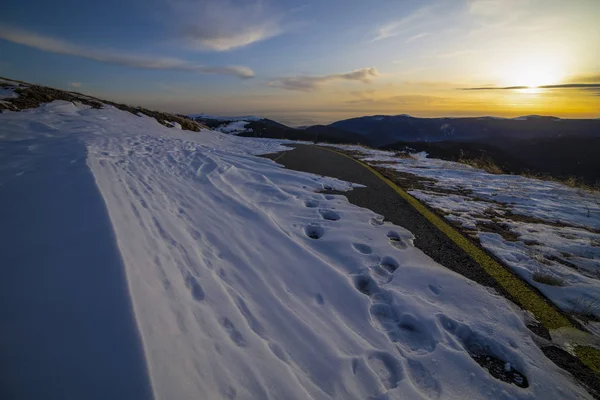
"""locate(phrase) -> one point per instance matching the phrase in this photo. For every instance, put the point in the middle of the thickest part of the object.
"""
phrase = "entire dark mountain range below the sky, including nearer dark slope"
(539, 144)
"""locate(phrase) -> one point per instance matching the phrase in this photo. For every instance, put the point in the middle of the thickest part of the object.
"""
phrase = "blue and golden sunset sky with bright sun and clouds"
(314, 61)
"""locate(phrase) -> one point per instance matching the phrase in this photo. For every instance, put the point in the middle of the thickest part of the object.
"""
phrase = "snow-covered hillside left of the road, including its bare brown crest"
(148, 261)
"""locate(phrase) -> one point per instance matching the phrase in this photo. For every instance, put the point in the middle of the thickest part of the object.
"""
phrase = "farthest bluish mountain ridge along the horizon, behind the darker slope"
(382, 130)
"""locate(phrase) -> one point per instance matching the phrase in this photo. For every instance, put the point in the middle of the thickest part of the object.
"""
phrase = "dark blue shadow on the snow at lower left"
(68, 329)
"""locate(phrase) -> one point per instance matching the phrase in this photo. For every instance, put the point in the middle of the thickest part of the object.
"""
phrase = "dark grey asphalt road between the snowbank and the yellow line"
(382, 199)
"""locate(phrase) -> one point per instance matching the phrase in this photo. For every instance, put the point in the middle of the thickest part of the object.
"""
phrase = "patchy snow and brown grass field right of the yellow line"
(551, 229)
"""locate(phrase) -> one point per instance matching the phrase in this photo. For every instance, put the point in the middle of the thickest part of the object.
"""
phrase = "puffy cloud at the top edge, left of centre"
(223, 25)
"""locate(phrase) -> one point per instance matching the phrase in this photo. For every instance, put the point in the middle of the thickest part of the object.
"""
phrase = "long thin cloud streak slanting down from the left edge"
(112, 57)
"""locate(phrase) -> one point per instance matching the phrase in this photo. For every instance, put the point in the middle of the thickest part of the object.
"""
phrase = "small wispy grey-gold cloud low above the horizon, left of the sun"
(307, 83)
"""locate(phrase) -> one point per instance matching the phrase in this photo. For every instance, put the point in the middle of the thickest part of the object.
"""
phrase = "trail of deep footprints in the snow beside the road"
(412, 337)
